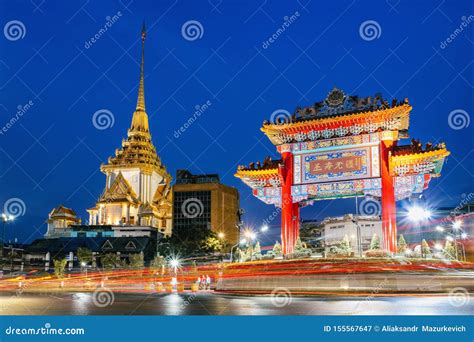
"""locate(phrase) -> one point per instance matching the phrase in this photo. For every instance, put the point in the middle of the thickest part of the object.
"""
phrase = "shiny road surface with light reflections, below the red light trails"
(218, 304)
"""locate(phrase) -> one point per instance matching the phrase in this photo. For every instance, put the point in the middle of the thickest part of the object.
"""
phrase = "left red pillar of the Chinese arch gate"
(289, 229)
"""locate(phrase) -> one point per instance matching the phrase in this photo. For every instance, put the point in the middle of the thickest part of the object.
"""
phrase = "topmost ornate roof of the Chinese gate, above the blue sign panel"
(338, 115)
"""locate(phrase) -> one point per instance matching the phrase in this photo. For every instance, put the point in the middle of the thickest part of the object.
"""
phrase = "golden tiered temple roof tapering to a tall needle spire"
(137, 149)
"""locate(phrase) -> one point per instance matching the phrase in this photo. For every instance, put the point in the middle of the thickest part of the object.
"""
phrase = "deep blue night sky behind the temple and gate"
(52, 154)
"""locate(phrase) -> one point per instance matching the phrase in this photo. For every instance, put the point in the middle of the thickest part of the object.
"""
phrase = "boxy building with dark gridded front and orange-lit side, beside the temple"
(202, 202)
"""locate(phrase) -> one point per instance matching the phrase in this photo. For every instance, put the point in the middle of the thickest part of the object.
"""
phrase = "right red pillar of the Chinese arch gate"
(389, 223)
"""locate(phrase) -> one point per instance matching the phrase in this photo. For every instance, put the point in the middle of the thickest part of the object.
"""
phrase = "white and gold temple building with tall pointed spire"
(137, 188)
